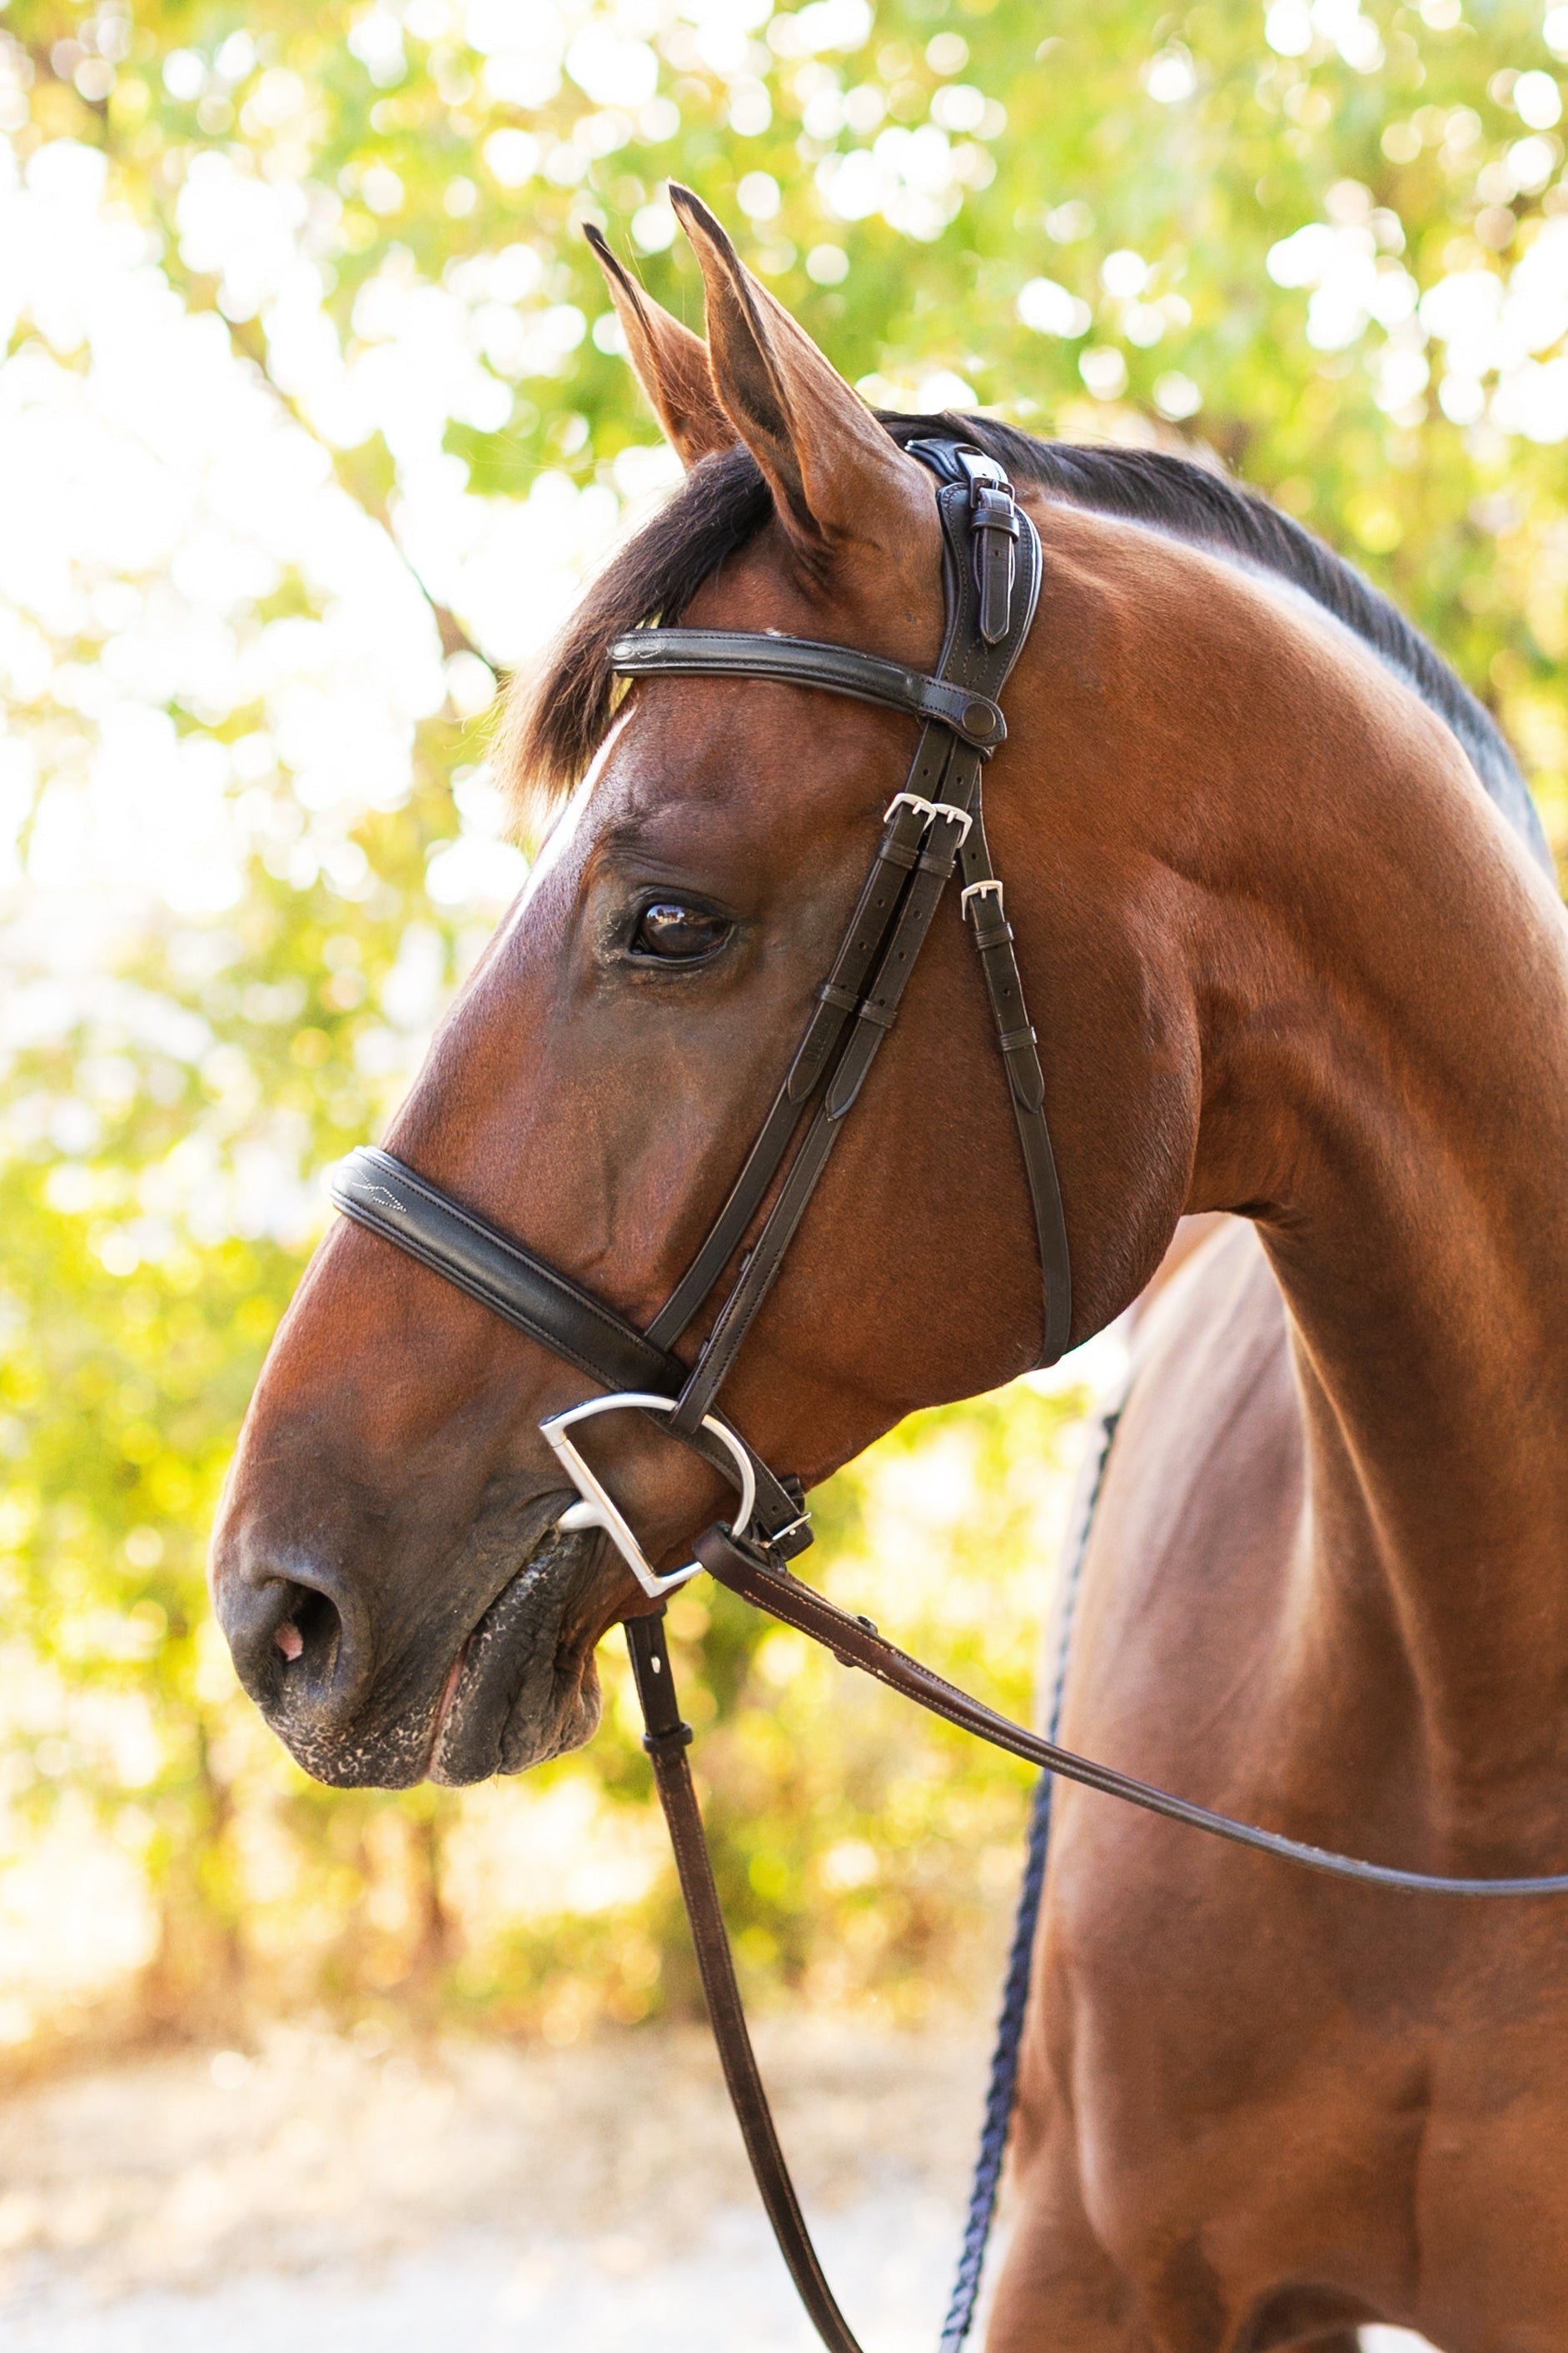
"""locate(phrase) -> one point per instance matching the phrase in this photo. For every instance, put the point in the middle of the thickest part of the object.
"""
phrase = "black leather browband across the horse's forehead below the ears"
(810, 662)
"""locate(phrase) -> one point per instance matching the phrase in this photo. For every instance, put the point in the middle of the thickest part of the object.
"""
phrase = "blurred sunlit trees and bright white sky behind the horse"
(311, 425)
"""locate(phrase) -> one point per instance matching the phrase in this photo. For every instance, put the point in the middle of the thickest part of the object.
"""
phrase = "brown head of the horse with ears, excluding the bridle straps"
(391, 1571)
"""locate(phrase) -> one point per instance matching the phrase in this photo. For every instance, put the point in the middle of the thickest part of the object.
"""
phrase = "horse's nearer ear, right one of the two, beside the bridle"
(836, 474)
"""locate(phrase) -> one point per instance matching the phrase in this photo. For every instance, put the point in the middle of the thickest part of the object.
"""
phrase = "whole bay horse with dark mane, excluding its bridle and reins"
(1285, 919)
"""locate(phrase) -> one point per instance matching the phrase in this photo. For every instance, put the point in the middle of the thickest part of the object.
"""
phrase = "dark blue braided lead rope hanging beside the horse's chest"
(1017, 1987)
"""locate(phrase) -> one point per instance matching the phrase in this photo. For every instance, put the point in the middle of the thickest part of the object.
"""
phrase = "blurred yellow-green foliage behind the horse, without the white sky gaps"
(1071, 218)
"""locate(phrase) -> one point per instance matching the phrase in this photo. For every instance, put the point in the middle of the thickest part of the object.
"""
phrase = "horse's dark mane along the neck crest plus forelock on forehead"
(561, 719)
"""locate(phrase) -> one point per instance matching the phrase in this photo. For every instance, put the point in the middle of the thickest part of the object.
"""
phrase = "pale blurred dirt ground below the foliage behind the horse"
(337, 2197)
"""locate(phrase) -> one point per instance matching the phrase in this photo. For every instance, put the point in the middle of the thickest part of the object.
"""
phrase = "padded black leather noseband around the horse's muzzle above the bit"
(384, 1197)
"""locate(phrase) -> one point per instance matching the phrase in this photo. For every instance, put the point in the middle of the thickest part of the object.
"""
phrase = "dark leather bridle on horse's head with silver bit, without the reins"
(932, 829)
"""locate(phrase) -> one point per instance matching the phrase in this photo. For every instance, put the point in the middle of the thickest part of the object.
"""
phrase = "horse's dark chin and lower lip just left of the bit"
(525, 1686)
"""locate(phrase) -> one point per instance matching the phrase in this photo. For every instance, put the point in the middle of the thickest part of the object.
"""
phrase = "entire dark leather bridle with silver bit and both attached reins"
(932, 829)
